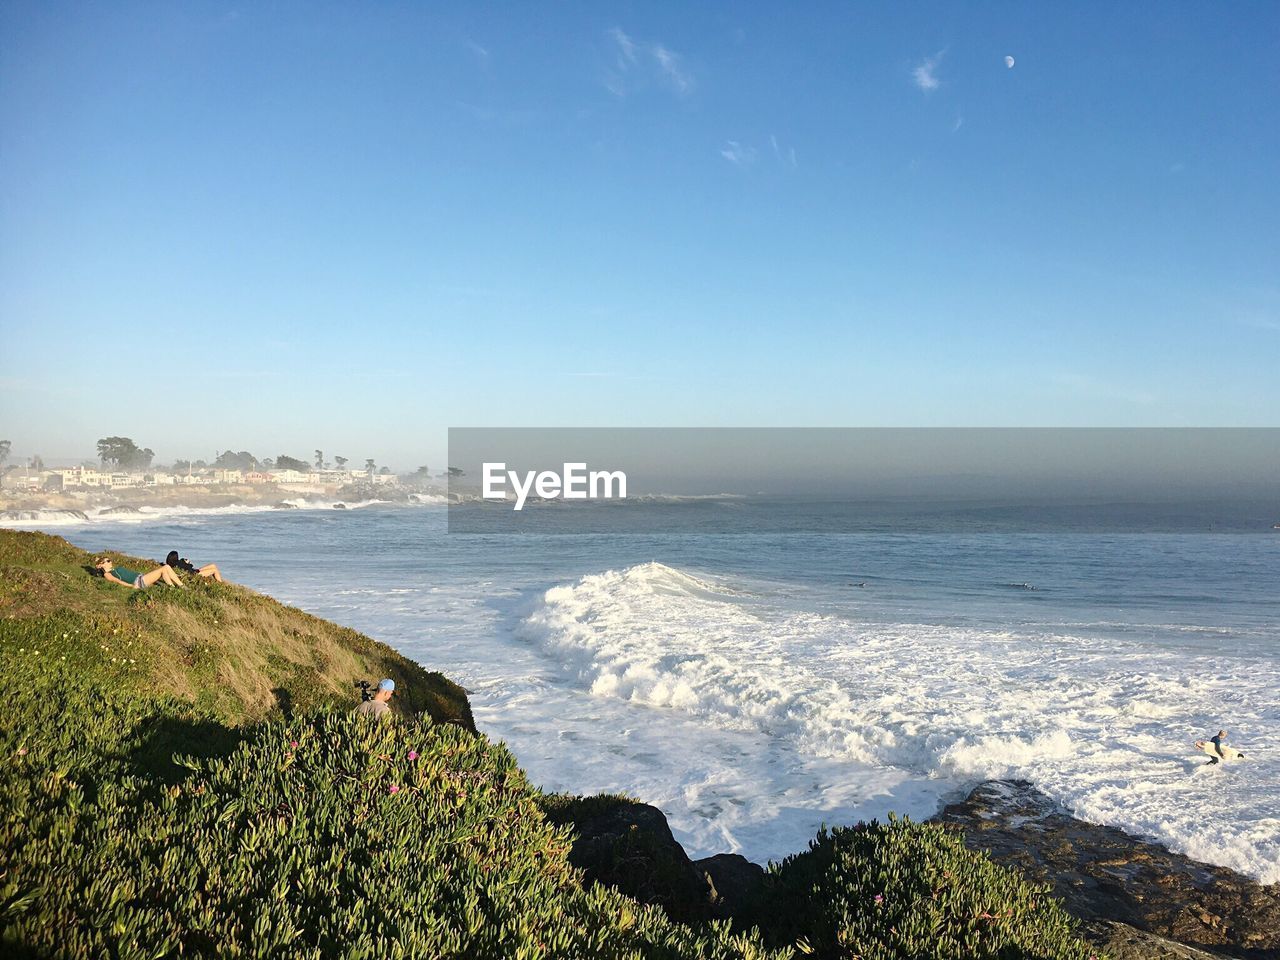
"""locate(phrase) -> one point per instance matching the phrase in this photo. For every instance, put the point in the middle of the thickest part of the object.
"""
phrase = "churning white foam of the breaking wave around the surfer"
(1100, 725)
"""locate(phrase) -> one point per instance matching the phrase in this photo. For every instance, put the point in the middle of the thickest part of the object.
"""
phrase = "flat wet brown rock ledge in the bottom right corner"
(1105, 876)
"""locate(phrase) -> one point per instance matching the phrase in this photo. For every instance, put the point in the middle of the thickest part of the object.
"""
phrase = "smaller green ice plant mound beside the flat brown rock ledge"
(889, 892)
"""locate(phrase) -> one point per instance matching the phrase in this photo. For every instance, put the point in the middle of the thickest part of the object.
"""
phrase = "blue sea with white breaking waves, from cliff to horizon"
(856, 661)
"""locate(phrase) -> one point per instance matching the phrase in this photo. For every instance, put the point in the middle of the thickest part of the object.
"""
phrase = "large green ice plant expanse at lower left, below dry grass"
(326, 836)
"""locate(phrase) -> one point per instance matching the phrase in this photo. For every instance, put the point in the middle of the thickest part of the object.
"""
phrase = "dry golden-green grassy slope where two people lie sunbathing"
(232, 652)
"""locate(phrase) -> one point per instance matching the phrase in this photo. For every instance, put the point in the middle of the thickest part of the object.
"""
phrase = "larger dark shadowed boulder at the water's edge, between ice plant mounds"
(632, 848)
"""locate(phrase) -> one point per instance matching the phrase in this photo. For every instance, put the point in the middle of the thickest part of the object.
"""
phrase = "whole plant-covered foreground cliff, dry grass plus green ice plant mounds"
(181, 775)
